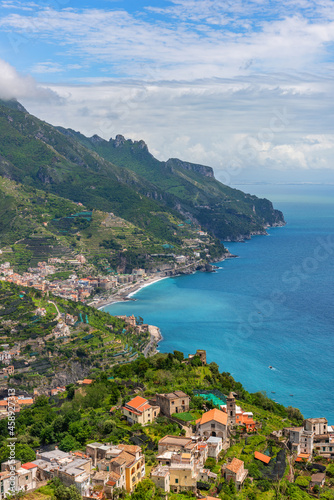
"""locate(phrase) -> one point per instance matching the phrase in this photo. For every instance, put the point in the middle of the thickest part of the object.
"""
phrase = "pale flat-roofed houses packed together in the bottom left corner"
(97, 472)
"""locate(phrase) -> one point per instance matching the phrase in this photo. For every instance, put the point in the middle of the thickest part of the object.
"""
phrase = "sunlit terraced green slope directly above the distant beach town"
(36, 225)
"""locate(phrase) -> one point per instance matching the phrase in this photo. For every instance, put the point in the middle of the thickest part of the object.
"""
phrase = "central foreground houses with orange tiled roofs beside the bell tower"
(181, 459)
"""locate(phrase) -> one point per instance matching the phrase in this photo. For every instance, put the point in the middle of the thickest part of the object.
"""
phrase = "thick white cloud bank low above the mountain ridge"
(231, 126)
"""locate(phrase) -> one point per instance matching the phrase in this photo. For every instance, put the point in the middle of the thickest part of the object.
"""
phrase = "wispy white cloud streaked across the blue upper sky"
(167, 50)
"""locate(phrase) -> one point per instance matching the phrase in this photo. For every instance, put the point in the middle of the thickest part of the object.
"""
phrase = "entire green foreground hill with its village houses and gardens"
(200, 443)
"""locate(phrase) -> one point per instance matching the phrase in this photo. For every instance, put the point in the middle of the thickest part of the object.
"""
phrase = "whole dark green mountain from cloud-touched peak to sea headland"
(123, 177)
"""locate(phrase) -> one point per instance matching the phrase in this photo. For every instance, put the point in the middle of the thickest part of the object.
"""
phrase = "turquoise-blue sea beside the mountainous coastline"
(266, 316)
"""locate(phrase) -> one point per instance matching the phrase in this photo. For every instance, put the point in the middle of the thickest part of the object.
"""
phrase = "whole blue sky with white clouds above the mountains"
(243, 86)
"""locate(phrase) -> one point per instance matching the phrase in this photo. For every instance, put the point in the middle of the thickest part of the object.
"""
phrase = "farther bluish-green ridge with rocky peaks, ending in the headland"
(227, 212)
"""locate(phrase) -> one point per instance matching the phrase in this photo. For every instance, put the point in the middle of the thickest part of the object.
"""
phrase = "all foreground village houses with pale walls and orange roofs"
(105, 467)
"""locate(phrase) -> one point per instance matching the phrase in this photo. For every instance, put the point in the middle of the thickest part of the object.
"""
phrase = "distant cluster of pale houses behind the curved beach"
(74, 288)
